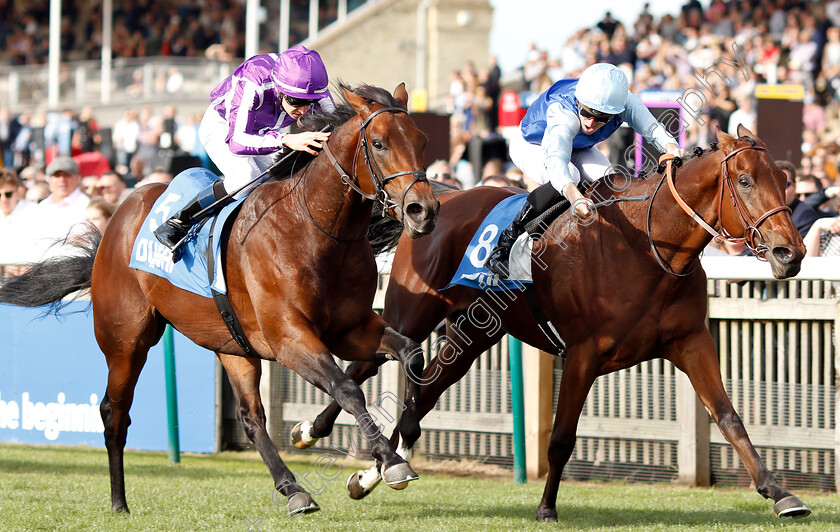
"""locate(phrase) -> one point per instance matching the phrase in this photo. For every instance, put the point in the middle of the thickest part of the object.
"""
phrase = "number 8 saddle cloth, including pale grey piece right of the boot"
(471, 271)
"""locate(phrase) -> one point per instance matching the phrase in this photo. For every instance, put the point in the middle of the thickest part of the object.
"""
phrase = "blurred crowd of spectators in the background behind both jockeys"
(758, 41)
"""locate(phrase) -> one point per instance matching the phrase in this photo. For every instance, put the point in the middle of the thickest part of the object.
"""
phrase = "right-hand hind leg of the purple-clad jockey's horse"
(244, 374)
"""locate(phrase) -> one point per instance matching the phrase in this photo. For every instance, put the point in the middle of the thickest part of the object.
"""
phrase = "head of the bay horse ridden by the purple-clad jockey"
(392, 164)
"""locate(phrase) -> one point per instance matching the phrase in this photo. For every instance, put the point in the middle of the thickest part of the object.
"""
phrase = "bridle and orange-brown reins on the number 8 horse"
(753, 238)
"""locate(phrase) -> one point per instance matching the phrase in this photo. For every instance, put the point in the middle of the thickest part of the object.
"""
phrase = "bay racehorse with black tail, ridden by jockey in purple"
(301, 278)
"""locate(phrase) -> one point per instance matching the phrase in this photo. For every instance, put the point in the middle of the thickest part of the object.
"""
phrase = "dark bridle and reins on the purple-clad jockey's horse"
(379, 180)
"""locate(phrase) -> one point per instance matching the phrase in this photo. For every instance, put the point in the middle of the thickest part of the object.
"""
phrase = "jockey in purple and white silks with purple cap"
(248, 120)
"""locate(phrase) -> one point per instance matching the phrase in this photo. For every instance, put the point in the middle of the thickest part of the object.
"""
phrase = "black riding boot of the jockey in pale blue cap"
(539, 201)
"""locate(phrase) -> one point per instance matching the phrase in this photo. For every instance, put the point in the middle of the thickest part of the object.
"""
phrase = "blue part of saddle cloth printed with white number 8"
(471, 272)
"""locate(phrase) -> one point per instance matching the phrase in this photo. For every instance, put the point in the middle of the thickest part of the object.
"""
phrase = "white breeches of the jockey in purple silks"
(237, 170)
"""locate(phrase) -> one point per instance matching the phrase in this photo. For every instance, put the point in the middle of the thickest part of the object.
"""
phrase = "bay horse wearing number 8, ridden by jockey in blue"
(621, 290)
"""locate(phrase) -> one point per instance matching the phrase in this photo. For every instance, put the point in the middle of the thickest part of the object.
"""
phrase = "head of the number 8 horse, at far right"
(753, 203)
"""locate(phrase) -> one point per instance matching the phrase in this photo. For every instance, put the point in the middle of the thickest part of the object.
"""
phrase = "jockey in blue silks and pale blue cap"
(553, 145)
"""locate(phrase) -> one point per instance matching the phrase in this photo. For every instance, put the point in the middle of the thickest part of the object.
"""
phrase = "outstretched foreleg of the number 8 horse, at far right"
(697, 357)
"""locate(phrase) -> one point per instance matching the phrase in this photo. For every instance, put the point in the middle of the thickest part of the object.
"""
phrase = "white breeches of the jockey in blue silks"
(588, 163)
